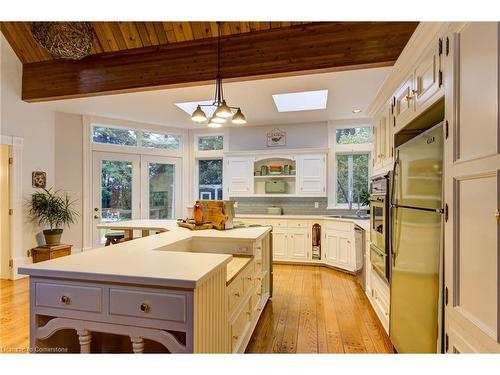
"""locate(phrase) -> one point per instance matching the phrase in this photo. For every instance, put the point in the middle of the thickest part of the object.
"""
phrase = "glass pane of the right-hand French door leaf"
(161, 191)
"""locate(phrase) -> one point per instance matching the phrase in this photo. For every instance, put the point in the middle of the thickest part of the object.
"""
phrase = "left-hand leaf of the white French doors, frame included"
(116, 191)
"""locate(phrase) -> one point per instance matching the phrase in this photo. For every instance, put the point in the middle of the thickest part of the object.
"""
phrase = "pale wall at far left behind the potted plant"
(35, 125)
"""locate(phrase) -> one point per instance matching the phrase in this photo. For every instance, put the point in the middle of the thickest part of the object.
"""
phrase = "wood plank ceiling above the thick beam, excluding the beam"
(121, 36)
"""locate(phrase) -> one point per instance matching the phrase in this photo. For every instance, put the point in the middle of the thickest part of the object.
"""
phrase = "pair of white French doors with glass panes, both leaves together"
(130, 186)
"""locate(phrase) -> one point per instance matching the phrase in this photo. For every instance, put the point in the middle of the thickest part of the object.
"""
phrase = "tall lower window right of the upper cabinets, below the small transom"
(352, 178)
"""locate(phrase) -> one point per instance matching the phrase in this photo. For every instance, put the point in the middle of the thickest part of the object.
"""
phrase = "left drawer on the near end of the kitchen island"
(69, 297)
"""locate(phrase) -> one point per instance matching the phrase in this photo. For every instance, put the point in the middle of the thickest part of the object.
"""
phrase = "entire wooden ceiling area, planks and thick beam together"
(138, 56)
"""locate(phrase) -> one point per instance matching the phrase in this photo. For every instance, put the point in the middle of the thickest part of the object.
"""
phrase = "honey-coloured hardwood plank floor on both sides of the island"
(313, 310)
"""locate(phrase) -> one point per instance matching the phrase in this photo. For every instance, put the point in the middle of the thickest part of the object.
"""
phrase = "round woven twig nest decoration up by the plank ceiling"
(66, 40)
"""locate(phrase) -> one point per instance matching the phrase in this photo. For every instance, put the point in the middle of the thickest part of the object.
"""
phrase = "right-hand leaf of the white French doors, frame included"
(161, 192)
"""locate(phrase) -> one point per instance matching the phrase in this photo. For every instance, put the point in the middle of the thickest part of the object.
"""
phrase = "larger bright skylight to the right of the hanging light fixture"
(301, 101)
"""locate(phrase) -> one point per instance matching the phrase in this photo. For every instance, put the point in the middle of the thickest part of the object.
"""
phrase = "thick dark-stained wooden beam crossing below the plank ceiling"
(313, 47)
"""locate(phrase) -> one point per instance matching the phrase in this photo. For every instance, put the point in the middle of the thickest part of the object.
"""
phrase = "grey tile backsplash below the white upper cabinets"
(289, 205)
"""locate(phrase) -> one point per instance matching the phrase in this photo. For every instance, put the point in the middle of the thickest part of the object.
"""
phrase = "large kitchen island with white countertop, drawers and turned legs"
(178, 291)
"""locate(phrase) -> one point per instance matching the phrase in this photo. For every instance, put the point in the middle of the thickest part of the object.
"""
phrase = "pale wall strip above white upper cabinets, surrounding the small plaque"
(249, 138)
